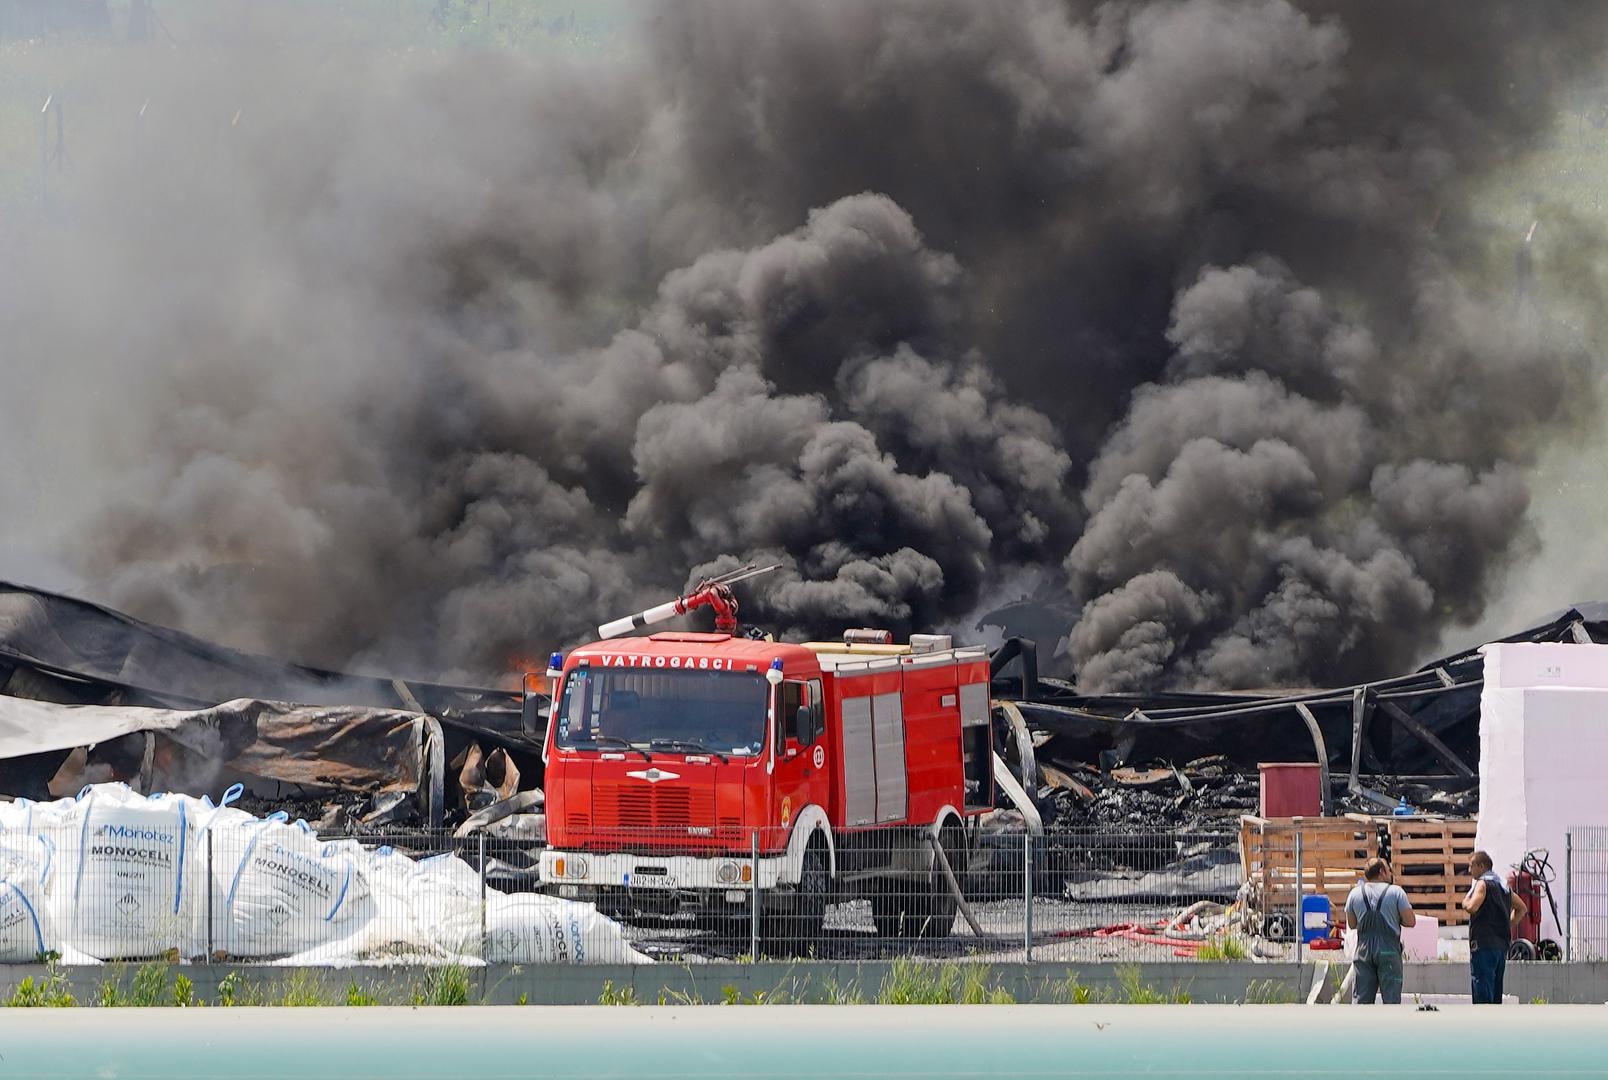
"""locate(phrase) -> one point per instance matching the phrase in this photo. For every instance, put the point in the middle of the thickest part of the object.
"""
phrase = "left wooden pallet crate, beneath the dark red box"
(1334, 853)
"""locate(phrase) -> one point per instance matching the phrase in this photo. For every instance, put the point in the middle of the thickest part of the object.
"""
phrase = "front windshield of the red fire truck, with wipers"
(658, 710)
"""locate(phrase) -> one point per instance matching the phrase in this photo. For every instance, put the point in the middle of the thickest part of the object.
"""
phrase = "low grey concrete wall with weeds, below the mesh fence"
(1205, 983)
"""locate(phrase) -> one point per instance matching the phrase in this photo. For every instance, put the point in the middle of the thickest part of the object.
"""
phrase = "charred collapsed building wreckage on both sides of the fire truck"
(89, 695)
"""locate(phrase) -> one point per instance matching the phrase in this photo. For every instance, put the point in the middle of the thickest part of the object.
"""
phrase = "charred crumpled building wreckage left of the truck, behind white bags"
(91, 695)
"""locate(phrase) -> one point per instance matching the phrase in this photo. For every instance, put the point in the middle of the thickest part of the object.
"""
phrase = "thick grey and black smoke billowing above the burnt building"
(377, 350)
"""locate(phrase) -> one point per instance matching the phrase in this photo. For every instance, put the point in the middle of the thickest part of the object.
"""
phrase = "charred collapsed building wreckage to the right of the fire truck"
(1192, 758)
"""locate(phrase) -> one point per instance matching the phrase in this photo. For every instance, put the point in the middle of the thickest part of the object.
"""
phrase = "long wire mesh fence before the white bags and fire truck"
(671, 894)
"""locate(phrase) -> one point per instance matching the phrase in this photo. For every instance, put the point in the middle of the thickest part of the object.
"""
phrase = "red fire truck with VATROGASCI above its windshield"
(675, 758)
